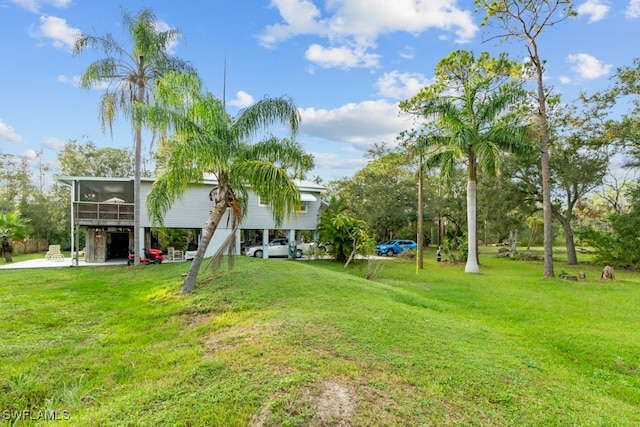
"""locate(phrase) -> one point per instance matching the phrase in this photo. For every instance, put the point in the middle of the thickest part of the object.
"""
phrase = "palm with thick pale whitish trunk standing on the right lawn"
(467, 105)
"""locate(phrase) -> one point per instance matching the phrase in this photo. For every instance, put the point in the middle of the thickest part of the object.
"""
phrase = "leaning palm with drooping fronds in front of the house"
(206, 140)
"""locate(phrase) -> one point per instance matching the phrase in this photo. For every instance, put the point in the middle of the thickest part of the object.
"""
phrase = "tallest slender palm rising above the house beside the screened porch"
(130, 74)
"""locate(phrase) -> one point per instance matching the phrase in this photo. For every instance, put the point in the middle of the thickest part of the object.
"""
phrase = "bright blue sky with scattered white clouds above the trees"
(346, 63)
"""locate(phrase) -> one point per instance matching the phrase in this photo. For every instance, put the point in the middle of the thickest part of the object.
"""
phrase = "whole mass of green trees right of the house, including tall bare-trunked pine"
(530, 160)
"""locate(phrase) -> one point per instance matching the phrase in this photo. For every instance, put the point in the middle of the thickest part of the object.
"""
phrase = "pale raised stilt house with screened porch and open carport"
(103, 207)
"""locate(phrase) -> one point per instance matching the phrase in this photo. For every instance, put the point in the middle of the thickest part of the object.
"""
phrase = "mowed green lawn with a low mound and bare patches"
(279, 343)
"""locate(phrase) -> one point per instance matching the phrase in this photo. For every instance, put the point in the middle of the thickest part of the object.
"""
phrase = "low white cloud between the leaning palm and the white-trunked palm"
(361, 125)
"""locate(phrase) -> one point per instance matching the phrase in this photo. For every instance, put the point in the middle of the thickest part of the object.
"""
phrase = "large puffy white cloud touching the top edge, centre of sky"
(353, 26)
